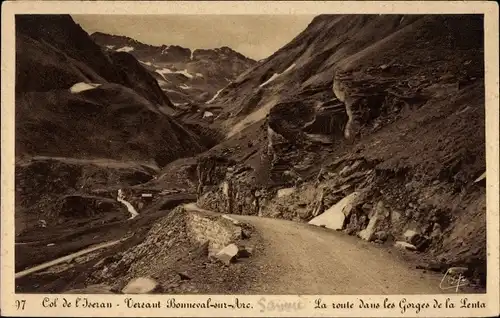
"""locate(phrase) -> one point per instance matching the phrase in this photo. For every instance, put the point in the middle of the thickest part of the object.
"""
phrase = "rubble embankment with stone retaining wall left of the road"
(179, 253)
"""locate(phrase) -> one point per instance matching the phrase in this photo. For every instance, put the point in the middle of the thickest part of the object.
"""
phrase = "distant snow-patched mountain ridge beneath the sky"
(185, 75)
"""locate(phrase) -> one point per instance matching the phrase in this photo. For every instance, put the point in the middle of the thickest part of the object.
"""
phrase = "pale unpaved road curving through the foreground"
(304, 259)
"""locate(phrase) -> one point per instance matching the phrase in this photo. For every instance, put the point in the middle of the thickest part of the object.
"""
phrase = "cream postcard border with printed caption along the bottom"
(481, 305)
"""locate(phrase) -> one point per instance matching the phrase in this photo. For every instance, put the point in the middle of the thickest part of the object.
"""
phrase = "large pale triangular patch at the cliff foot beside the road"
(334, 218)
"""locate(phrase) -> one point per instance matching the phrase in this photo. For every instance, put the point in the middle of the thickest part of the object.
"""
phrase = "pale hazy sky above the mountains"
(256, 36)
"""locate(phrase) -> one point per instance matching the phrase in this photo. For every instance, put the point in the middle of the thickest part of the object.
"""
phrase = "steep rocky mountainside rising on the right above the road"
(388, 106)
